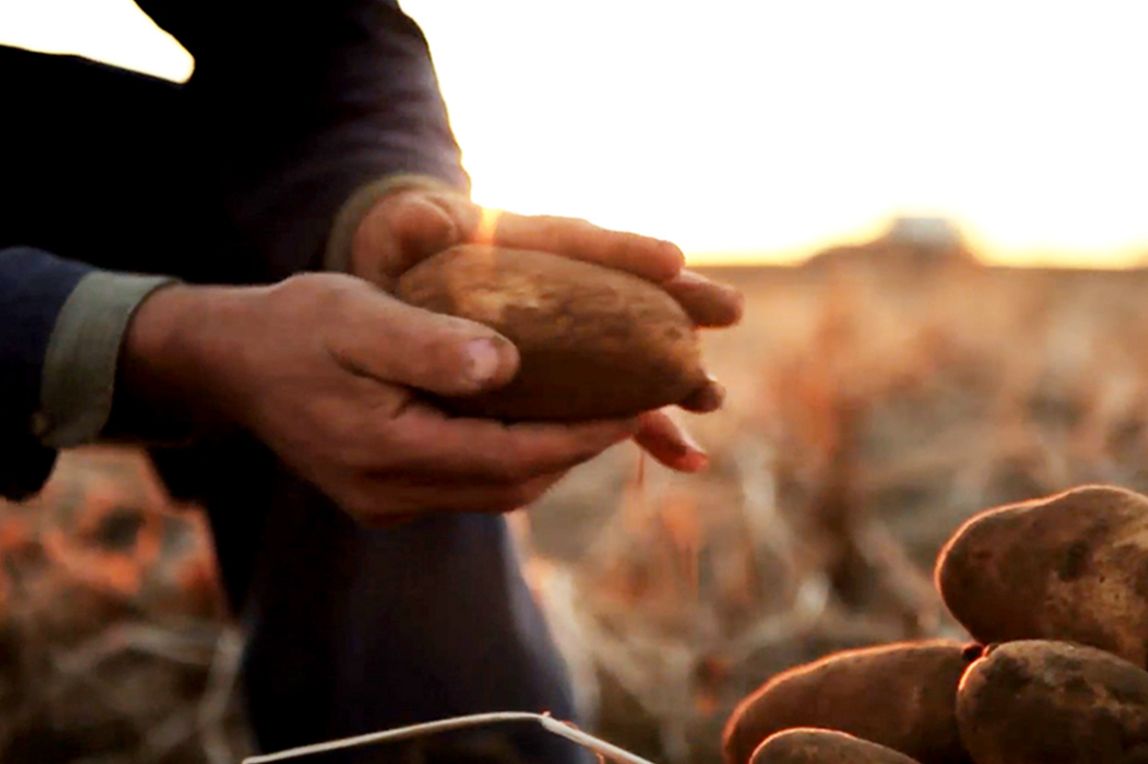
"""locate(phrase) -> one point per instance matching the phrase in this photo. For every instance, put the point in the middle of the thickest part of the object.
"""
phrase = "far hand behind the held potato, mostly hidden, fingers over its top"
(414, 223)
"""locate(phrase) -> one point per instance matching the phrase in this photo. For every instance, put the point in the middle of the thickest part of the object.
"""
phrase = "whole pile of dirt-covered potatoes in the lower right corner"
(1056, 590)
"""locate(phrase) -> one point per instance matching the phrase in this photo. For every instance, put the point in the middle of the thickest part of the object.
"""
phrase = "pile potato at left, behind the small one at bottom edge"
(901, 696)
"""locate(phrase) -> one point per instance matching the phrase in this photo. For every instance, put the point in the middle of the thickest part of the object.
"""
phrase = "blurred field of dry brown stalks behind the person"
(876, 400)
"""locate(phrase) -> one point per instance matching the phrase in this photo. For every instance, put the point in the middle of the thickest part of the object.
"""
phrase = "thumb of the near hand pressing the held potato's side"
(394, 342)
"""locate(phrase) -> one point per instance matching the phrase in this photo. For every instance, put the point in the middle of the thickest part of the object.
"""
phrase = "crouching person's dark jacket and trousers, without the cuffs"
(235, 177)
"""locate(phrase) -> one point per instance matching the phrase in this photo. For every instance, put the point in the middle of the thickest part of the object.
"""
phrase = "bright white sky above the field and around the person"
(766, 129)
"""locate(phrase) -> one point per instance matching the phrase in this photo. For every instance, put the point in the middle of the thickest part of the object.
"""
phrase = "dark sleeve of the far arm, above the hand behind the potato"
(301, 104)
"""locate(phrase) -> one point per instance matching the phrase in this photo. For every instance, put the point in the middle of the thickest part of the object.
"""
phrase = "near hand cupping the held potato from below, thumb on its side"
(321, 368)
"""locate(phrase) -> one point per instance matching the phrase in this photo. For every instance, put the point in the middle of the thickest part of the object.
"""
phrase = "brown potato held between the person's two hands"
(594, 342)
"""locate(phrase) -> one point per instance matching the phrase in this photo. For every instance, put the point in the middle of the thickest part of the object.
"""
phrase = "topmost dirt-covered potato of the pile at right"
(1072, 567)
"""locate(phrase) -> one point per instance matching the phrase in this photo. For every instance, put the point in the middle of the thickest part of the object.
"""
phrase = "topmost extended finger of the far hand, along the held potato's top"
(650, 259)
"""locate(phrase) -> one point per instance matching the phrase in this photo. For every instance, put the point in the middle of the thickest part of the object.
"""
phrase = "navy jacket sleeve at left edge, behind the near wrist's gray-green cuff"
(34, 289)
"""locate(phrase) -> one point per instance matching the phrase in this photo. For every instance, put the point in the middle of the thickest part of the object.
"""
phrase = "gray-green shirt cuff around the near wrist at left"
(80, 369)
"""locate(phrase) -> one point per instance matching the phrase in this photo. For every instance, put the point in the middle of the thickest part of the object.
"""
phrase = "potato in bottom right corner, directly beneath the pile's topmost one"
(1046, 703)
